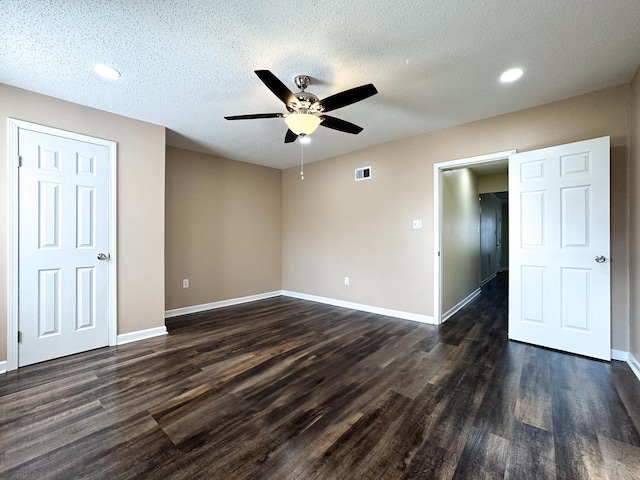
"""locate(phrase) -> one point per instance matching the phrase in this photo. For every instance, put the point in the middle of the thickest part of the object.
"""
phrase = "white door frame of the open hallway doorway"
(438, 168)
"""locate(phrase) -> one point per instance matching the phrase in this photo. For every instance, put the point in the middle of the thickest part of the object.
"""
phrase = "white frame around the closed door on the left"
(12, 242)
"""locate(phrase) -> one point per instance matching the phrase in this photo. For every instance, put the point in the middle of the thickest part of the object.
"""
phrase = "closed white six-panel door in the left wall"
(63, 227)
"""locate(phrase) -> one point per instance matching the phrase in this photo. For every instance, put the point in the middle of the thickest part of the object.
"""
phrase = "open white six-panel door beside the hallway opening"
(559, 259)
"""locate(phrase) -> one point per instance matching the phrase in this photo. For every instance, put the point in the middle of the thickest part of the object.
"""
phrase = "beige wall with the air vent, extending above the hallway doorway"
(334, 227)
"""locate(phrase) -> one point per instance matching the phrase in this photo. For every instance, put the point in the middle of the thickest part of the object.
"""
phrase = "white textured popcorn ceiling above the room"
(187, 64)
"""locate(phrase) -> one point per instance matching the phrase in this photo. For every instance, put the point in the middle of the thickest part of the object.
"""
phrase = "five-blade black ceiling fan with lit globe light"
(305, 111)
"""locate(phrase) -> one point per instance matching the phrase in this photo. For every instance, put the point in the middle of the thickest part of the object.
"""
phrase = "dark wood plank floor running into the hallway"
(284, 389)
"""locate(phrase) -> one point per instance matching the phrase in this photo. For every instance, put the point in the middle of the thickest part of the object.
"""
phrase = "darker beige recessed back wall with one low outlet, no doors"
(223, 229)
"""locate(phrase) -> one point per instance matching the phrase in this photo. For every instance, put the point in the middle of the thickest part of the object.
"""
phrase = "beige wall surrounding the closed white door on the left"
(140, 193)
